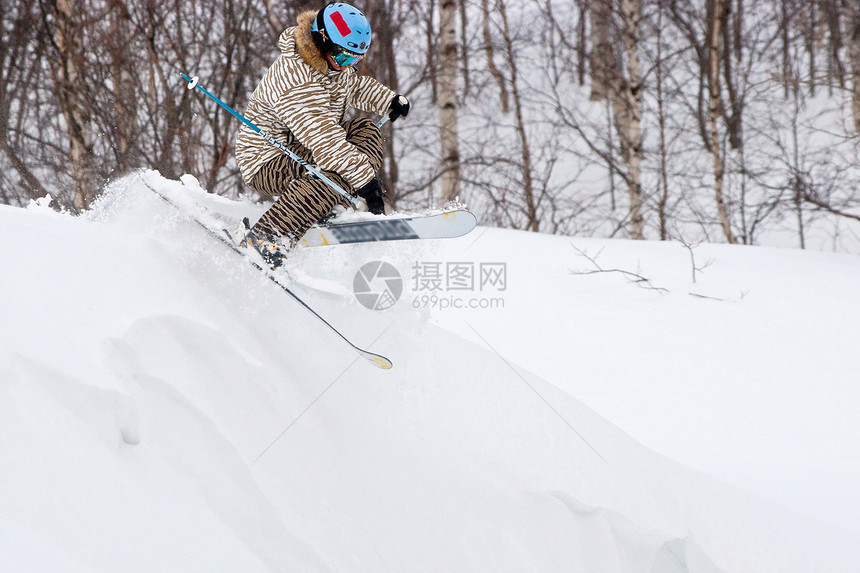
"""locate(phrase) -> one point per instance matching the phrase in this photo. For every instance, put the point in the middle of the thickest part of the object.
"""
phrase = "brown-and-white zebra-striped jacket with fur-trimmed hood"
(301, 101)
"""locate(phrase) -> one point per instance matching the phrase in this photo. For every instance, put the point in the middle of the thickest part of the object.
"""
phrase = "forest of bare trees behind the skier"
(721, 120)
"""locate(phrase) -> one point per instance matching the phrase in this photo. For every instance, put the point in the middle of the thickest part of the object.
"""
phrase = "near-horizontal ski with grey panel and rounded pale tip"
(448, 224)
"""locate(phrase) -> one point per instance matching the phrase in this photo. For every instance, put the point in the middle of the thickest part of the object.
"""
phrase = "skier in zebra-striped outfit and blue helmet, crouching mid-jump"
(302, 101)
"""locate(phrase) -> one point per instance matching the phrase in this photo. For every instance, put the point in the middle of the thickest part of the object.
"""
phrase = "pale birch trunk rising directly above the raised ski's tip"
(447, 85)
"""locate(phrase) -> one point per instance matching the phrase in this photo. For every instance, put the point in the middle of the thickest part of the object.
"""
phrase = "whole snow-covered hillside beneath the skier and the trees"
(163, 407)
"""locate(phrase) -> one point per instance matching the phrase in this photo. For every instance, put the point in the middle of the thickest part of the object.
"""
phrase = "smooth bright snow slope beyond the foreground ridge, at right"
(750, 374)
